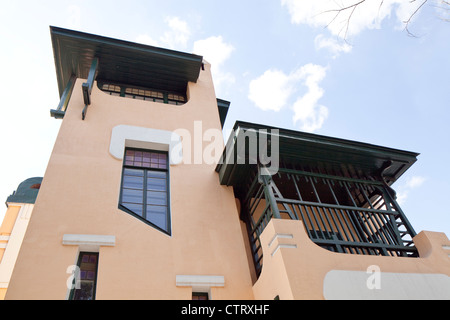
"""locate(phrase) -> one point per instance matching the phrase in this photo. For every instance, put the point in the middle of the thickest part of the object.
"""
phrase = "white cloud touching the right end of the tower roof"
(216, 51)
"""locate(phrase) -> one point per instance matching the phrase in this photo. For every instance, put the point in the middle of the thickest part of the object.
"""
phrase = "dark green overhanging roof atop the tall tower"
(121, 61)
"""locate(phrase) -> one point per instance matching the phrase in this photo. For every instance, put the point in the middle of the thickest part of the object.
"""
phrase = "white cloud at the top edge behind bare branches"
(367, 15)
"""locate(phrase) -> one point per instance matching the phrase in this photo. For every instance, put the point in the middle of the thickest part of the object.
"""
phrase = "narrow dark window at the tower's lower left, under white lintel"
(86, 277)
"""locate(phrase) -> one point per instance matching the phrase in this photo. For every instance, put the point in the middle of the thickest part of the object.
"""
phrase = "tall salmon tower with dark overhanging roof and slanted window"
(119, 210)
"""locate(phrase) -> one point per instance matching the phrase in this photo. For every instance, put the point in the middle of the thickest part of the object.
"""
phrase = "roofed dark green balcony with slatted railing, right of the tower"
(340, 190)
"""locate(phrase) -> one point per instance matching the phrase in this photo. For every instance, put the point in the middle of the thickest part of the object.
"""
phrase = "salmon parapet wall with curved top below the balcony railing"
(298, 268)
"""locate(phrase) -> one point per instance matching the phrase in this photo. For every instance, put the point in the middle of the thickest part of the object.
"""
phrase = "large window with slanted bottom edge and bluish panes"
(145, 185)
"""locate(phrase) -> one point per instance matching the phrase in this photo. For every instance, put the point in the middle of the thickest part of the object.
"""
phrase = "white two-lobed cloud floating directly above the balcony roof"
(274, 89)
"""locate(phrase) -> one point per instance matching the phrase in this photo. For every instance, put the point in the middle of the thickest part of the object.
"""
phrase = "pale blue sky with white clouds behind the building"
(295, 64)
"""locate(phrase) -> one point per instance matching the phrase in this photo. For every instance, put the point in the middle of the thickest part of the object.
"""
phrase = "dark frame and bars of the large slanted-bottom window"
(143, 218)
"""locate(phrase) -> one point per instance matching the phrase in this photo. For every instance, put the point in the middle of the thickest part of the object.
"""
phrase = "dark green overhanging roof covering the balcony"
(312, 150)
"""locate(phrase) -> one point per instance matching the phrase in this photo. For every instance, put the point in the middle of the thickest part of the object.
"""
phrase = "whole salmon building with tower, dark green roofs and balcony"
(141, 199)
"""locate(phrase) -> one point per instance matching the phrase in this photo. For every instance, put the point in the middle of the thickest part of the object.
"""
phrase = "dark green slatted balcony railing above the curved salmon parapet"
(340, 214)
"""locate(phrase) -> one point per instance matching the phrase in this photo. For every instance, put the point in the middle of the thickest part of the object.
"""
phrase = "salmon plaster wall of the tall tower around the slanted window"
(80, 193)
